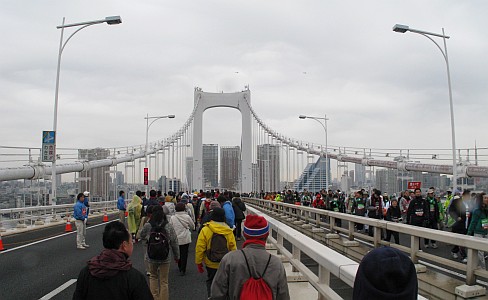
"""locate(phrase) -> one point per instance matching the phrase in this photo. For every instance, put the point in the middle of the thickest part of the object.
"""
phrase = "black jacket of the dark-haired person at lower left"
(110, 275)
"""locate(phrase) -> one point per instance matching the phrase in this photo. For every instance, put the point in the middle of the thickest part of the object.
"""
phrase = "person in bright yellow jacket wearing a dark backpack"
(203, 248)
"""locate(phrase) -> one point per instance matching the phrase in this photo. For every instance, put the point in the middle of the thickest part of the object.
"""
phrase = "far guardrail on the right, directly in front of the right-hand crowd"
(317, 218)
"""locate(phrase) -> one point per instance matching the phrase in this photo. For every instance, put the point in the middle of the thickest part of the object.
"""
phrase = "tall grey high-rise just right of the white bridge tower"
(268, 159)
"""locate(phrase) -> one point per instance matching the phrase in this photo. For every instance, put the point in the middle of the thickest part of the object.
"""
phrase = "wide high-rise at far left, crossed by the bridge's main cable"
(96, 181)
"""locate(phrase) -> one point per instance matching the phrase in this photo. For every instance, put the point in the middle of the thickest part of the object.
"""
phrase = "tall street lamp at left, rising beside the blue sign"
(113, 20)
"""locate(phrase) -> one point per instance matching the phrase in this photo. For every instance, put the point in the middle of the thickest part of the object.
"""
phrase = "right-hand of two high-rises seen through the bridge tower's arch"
(230, 166)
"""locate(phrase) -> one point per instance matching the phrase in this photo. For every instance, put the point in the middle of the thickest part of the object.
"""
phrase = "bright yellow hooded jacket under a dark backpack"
(205, 238)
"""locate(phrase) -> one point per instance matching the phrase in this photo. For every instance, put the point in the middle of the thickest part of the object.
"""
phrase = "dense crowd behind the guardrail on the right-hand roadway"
(462, 212)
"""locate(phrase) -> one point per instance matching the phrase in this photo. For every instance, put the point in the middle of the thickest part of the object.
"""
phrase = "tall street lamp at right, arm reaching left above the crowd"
(404, 28)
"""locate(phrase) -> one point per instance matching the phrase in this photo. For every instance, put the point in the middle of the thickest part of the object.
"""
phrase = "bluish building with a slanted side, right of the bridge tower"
(313, 176)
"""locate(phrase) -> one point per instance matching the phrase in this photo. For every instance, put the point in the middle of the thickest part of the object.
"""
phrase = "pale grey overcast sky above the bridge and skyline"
(379, 88)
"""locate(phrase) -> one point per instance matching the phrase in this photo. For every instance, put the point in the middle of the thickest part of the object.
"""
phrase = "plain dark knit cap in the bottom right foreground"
(386, 273)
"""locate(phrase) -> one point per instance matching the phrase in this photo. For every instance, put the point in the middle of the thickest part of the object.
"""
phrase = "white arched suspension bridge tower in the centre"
(239, 101)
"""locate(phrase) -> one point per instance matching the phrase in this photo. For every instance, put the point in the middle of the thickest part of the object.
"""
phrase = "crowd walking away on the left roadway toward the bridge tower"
(164, 225)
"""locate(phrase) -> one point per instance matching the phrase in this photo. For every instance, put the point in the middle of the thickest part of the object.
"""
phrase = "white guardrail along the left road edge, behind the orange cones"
(18, 217)
